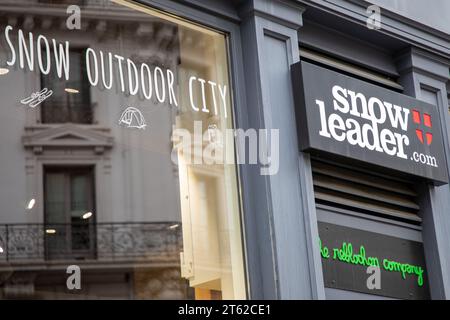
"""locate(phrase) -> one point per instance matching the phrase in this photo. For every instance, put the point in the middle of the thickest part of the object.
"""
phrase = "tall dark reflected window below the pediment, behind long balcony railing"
(69, 206)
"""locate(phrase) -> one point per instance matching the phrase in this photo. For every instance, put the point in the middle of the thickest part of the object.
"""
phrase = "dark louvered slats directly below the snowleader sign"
(357, 189)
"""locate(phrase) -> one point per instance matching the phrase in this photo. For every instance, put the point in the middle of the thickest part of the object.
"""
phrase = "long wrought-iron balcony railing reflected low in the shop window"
(89, 241)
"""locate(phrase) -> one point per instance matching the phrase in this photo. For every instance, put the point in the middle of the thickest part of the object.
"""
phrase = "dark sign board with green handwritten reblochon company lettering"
(347, 253)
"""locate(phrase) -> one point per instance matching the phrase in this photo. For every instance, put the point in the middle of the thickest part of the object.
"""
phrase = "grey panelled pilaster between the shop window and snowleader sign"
(285, 245)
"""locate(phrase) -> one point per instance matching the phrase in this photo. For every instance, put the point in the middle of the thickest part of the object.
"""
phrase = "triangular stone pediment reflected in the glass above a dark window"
(67, 136)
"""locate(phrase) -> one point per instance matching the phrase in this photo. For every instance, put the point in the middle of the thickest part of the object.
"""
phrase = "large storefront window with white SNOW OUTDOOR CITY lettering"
(113, 184)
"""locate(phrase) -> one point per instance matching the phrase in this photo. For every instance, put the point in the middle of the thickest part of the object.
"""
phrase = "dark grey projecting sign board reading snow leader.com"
(348, 117)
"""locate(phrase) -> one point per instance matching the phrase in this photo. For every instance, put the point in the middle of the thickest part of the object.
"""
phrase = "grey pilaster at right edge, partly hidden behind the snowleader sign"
(424, 76)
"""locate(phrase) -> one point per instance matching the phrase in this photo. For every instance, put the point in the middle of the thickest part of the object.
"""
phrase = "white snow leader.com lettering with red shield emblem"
(368, 135)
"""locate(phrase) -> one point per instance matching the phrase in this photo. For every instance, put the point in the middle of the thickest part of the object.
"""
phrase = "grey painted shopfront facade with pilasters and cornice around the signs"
(279, 213)
